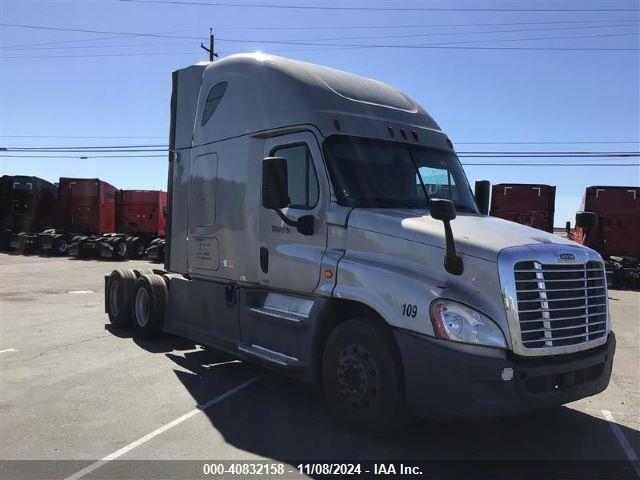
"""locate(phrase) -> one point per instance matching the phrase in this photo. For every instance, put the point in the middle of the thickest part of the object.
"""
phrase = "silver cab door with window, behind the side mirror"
(289, 260)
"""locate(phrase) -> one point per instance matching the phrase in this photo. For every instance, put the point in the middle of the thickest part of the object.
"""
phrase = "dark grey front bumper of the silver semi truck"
(445, 379)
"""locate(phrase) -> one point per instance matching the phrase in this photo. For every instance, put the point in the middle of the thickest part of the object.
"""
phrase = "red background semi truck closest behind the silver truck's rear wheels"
(141, 223)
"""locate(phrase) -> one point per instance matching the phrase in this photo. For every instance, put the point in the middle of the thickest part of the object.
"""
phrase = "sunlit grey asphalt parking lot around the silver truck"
(74, 389)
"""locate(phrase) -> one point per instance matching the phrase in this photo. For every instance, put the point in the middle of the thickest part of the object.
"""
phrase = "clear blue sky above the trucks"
(522, 76)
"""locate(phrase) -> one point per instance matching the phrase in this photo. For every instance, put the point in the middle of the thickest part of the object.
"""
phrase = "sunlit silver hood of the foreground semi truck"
(475, 235)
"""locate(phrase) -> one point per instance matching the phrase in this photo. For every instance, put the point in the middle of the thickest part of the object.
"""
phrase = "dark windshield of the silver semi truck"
(374, 173)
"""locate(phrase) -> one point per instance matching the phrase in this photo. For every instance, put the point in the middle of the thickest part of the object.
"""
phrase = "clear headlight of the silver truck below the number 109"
(457, 322)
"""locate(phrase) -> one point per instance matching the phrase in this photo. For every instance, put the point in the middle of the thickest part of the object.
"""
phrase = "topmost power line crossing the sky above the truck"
(377, 9)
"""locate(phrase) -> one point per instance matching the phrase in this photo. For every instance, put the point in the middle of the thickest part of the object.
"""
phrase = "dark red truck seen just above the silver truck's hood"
(528, 204)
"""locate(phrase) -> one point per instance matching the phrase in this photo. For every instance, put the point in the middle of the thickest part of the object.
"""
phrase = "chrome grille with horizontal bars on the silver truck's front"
(560, 304)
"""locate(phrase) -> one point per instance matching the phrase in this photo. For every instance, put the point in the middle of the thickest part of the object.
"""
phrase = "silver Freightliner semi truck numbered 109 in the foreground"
(321, 225)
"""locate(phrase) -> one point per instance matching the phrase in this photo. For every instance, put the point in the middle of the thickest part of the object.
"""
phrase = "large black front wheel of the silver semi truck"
(362, 377)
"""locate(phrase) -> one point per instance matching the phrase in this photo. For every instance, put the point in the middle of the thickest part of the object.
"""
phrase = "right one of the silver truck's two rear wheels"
(149, 305)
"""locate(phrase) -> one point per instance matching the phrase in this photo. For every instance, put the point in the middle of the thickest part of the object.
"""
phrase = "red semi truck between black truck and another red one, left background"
(86, 211)
